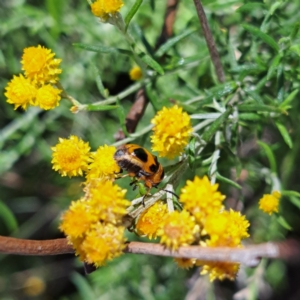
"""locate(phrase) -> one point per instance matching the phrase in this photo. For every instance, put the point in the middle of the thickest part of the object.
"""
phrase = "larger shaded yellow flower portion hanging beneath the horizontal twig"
(219, 270)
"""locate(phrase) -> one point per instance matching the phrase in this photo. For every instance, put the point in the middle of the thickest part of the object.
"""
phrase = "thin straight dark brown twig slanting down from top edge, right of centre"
(210, 41)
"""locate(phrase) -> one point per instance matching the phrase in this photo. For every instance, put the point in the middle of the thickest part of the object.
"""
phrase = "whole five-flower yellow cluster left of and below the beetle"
(92, 224)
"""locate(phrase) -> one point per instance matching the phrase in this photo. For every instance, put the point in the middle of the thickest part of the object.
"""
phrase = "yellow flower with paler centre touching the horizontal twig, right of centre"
(178, 229)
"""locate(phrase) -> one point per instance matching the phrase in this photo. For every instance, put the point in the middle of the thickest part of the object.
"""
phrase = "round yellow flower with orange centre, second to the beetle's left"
(70, 156)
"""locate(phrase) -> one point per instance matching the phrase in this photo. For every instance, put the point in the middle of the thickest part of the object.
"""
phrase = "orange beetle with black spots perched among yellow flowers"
(140, 163)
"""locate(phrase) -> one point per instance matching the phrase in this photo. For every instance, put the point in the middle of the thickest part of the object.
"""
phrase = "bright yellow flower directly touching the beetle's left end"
(103, 164)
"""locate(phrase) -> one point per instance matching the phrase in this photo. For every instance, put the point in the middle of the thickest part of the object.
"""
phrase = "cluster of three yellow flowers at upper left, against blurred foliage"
(36, 87)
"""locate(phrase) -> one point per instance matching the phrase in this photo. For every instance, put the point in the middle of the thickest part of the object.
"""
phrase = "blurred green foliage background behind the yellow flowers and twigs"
(259, 45)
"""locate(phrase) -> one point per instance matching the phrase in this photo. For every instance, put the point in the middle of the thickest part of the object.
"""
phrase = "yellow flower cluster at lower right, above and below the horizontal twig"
(203, 215)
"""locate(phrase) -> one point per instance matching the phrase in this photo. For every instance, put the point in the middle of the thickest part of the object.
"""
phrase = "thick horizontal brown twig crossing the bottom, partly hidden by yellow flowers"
(249, 255)
